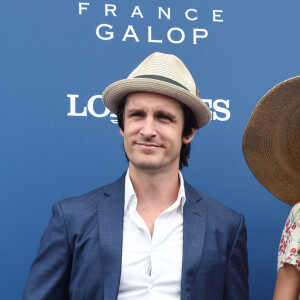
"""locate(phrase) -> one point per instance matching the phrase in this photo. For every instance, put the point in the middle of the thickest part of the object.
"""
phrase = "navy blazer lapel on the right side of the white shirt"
(194, 223)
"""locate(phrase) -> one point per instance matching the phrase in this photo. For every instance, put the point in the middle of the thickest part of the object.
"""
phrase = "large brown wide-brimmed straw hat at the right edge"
(271, 141)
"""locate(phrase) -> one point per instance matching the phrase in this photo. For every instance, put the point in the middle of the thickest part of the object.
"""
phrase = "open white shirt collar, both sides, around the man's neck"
(131, 200)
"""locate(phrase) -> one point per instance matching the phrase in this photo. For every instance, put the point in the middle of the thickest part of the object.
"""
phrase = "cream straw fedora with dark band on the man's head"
(163, 74)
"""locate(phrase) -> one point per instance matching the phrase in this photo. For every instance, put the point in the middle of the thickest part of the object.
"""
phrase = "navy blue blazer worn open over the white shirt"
(81, 250)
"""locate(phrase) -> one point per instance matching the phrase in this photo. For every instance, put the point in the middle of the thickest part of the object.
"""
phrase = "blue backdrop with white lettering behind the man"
(57, 139)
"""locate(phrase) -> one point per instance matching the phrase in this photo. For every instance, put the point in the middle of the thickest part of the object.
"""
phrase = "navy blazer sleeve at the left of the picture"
(50, 272)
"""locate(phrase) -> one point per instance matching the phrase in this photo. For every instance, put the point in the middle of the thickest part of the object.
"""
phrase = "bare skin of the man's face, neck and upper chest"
(153, 126)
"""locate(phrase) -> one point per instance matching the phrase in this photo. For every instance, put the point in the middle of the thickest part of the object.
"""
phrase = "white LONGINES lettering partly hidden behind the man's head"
(95, 107)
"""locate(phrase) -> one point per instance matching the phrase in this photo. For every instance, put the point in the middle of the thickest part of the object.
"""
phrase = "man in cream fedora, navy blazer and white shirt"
(149, 235)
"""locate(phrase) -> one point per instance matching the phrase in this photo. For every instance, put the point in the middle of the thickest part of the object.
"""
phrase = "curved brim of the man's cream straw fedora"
(115, 92)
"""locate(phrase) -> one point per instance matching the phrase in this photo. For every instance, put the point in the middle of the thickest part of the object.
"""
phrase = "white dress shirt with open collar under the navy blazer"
(151, 268)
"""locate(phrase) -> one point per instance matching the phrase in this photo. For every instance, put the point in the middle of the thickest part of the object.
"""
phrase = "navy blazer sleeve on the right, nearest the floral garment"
(236, 285)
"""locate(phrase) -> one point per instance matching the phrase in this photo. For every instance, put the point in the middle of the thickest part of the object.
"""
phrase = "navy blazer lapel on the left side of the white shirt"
(110, 218)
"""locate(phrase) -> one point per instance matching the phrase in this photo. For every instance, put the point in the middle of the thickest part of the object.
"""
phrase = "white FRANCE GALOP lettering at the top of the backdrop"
(137, 32)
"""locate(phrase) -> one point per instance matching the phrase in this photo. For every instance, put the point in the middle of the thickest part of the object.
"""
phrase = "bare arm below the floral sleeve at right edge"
(287, 284)
